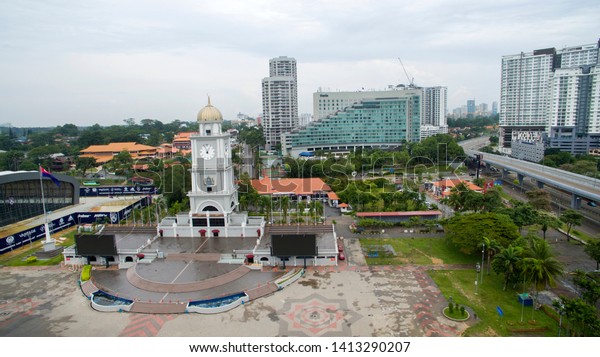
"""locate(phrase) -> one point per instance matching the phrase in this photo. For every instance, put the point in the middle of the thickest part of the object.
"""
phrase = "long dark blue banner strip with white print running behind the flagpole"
(30, 235)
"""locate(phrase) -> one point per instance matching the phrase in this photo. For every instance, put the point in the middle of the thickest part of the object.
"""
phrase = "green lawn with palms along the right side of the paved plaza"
(517, 320)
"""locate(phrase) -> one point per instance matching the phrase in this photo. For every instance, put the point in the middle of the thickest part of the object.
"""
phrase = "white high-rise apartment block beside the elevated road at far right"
(553, 94)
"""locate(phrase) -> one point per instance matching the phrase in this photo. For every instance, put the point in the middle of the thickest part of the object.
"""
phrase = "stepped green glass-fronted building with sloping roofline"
(371, 123)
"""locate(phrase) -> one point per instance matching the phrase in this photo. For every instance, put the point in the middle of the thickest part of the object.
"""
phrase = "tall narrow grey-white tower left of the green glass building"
(280, 99)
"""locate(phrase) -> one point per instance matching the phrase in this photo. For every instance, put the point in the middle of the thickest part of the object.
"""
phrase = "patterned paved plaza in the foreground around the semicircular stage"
(329, 301)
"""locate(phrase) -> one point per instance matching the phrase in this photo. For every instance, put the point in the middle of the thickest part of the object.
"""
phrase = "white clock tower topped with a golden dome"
(213, 197)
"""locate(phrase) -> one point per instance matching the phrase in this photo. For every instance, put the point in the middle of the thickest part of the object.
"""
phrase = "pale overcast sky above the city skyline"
(87, 62)
